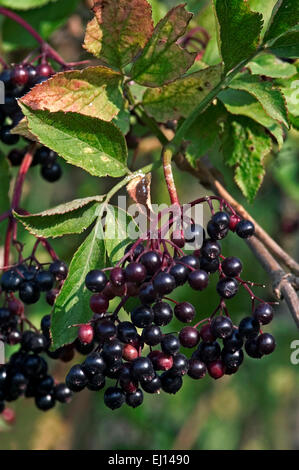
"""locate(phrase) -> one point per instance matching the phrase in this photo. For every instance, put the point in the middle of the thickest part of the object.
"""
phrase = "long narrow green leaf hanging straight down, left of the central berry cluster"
(72, 304)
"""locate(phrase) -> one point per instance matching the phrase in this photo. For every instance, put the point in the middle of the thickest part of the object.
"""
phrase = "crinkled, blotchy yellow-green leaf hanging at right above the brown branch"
(245, 147)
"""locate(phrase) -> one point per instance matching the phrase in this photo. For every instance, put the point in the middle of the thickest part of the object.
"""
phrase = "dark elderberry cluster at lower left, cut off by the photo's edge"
(26, 373)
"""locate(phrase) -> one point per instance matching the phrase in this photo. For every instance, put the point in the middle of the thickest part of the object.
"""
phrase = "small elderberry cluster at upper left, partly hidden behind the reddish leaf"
(18, 80)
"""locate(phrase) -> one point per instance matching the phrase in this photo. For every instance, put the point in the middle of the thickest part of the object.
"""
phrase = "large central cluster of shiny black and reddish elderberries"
(137, 353)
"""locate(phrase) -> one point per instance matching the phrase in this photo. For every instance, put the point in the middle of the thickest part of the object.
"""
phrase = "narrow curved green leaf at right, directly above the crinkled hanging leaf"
(241, 102)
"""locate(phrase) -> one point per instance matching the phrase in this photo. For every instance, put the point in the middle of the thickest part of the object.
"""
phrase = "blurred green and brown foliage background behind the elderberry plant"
(258, 408)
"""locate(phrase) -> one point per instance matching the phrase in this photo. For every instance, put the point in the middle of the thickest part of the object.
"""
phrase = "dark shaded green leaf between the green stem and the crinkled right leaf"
(203, 134)
